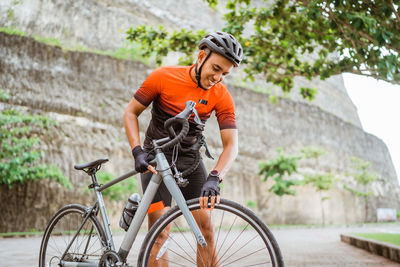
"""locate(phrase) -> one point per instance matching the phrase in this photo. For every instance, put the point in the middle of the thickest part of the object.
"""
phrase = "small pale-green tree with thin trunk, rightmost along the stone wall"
(363, 177)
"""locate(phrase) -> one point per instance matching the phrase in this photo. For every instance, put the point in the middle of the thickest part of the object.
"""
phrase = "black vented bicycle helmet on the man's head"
(224, 44)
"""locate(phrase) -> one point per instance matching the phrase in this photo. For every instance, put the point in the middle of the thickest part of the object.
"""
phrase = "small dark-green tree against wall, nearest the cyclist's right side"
(277, 168)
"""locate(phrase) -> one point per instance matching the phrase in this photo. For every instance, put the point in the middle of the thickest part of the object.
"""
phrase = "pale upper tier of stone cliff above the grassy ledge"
(101, 24)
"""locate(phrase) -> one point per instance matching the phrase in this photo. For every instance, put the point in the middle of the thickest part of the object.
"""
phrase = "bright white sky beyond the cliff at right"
(378, 107)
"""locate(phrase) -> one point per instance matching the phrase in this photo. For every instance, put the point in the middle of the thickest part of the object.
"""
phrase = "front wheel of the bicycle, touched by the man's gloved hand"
(235, 236)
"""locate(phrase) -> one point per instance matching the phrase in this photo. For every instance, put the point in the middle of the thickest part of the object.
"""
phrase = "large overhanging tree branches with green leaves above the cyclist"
(298, 38)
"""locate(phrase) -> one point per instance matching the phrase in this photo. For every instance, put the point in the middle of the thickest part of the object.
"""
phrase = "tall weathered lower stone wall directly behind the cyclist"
(87, 93)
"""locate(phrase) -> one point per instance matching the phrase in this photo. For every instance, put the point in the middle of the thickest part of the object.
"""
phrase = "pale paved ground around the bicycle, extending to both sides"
(300, 247)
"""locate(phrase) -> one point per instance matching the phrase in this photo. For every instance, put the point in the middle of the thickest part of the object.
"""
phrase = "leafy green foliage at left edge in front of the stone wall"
(19, 154)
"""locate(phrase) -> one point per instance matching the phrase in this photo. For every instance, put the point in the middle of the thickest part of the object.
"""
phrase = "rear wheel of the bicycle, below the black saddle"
(88, 246)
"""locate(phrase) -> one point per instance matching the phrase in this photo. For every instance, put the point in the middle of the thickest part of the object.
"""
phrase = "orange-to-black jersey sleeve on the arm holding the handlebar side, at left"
(150, 88)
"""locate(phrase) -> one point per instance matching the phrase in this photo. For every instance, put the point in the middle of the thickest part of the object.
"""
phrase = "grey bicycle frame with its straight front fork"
(165, 175)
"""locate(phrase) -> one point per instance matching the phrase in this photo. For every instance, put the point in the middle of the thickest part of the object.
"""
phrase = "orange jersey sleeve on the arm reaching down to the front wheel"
(225, 112)
